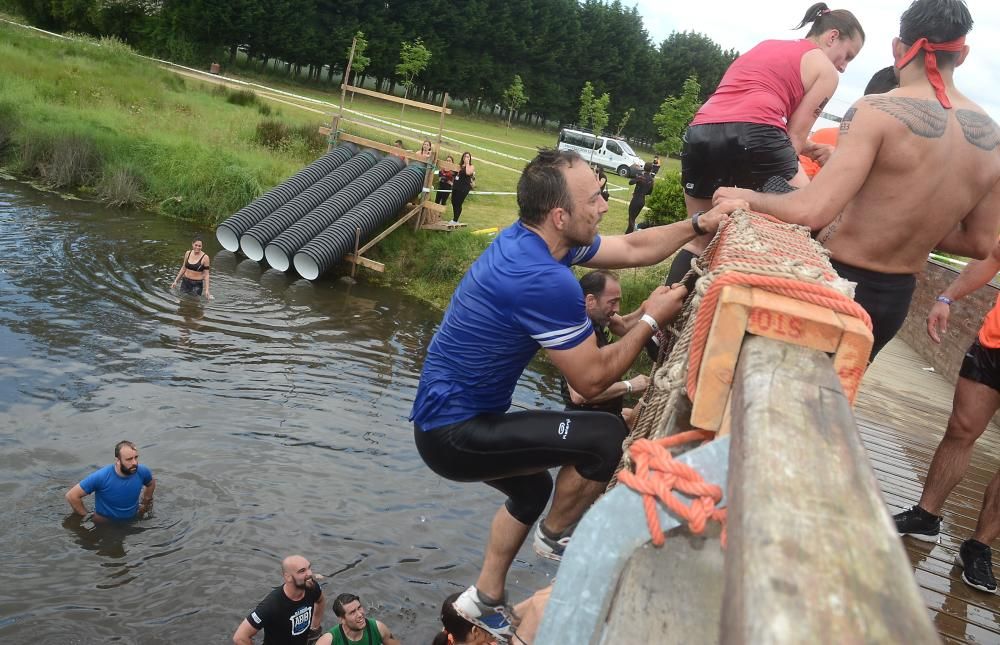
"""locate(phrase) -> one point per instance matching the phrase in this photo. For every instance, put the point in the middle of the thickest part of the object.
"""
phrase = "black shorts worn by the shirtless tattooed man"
(885, 296)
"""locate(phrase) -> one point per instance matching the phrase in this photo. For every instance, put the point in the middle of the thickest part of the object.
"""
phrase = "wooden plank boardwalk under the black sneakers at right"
(902, 412)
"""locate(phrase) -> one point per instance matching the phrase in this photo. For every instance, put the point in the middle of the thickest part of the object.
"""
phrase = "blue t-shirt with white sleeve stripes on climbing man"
(514, 299)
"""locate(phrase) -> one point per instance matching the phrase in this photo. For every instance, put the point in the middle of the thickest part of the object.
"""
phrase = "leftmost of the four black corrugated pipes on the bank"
(228, 233)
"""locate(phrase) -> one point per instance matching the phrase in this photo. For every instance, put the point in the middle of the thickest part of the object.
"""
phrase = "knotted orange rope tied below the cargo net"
(657, 475)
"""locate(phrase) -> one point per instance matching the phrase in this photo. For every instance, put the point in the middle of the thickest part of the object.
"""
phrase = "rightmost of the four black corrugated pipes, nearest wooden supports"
(327, 248)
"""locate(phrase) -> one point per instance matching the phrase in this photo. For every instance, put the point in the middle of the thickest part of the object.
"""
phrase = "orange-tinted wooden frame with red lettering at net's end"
(749, 310)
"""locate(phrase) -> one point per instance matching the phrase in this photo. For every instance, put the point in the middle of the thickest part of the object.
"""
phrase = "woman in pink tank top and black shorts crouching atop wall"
(754, 125)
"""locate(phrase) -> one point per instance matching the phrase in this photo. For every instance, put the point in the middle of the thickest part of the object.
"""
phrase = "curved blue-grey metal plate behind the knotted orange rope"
(602, 544)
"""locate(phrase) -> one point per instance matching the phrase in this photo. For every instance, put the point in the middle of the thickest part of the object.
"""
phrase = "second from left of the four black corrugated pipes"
(252, 242)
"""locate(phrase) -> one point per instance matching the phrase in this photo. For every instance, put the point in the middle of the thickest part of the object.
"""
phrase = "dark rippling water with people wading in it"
(274, 419)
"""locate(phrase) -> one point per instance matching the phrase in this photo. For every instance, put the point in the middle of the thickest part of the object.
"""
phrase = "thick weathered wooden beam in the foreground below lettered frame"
(813, 555)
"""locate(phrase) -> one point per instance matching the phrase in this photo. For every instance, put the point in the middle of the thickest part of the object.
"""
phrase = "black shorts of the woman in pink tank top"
(744, 155)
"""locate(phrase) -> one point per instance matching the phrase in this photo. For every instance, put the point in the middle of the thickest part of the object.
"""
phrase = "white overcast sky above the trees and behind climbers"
(741, 25)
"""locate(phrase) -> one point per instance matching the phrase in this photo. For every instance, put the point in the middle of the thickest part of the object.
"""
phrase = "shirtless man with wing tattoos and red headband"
(916, 169)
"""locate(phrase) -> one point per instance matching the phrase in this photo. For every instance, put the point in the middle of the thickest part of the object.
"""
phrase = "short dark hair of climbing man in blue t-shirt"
(542, 185)
